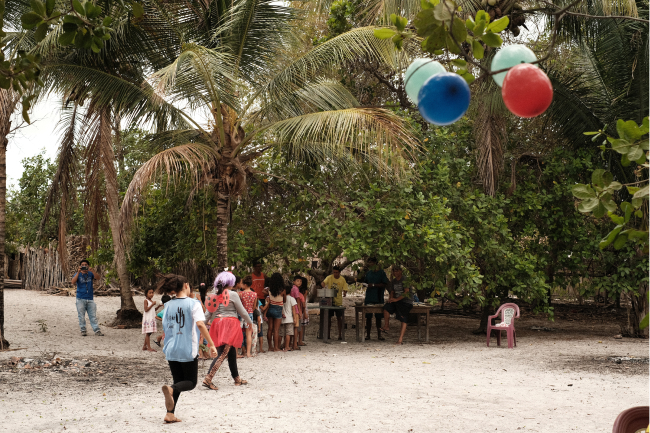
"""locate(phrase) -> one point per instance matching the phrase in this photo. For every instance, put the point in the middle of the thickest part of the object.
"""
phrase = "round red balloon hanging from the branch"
(527, 91)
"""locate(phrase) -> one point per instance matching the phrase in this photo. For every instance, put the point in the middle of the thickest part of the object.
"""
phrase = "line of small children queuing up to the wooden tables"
(284, 308)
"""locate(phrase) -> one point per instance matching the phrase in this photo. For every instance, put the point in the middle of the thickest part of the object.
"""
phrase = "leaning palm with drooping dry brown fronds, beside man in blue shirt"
(110, 85)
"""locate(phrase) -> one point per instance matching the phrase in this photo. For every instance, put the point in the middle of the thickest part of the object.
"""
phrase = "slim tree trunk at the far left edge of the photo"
(8, 102)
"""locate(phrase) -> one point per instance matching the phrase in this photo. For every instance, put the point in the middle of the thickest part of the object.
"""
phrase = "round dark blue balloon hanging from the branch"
(444, 98)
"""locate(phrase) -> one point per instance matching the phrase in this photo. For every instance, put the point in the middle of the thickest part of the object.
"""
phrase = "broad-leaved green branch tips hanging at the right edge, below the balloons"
(598, 197)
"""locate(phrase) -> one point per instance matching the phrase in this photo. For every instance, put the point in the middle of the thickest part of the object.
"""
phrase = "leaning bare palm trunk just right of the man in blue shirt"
(128, 314)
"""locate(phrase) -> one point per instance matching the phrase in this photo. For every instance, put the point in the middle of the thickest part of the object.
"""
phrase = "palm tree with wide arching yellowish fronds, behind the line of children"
(258, 97)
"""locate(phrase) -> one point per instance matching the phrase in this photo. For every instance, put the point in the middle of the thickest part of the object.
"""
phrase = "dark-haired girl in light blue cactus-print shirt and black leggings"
(182, 318)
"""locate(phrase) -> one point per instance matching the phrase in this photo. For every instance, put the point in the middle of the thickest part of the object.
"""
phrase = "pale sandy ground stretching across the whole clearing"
(558, 381)
